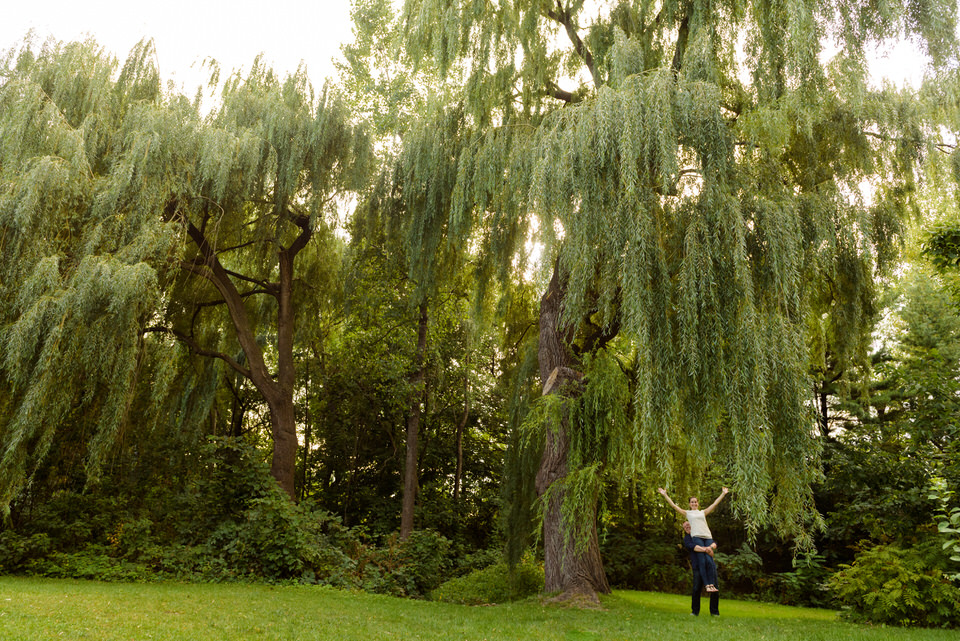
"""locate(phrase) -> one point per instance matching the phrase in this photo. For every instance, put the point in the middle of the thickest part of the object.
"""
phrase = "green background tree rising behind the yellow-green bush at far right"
(902, 432)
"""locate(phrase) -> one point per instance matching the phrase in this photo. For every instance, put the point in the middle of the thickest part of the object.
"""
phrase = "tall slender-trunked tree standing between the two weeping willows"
(387, 87)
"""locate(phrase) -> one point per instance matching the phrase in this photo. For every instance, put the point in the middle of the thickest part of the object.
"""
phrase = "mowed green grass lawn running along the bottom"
(61, 609)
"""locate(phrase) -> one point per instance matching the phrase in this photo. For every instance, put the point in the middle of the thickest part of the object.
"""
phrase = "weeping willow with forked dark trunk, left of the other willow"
(130, 219)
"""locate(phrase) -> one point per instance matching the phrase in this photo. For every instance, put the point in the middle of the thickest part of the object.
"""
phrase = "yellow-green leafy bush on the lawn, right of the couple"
(887, 584)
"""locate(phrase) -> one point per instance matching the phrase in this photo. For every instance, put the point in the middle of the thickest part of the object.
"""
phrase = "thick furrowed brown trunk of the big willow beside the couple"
(569, 572)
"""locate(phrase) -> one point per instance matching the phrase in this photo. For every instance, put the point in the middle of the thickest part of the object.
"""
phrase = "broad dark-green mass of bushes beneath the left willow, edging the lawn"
(230, 522)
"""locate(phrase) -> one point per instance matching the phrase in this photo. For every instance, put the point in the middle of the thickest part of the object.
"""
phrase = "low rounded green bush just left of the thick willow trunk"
(495, 584)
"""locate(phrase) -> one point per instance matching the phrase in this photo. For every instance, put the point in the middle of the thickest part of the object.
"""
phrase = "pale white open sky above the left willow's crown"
(185, 32)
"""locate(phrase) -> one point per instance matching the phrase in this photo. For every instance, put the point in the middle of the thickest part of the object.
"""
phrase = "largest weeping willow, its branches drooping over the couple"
(714, 195)
